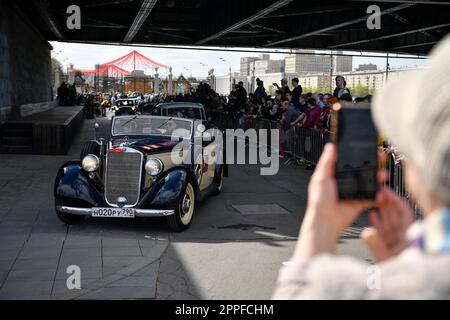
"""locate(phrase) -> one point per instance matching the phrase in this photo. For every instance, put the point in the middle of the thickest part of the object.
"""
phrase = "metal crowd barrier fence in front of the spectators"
(307, 144)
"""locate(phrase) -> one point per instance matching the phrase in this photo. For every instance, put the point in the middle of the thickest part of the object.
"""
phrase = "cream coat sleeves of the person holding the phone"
(411, 275)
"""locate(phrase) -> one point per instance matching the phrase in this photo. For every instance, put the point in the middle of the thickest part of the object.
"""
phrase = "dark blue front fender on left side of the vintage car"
(73, 183)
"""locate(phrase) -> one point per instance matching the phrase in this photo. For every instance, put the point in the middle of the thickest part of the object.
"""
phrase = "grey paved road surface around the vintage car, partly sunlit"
(233, 250)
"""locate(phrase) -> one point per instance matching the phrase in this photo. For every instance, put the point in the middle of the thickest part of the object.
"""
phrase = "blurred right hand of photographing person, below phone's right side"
(387, 237)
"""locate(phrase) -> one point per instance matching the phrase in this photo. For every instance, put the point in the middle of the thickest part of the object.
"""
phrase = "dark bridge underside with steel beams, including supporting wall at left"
(407, 26)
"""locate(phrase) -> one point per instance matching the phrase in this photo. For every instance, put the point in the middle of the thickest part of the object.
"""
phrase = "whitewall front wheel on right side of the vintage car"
(184, 211)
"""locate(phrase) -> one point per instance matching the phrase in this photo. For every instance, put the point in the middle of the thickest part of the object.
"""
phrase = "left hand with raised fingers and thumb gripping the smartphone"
(326, 217)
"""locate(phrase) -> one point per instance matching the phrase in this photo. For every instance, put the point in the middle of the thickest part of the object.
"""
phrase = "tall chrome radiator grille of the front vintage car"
(123, 176)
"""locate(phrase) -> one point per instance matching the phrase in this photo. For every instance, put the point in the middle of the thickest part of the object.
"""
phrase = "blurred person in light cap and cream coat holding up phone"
(413, 258)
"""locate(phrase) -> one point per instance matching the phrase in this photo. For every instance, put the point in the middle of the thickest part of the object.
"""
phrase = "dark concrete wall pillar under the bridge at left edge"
(25, 75)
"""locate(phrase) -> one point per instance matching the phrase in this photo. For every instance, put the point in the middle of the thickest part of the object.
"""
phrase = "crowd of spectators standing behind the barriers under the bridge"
(289, 107)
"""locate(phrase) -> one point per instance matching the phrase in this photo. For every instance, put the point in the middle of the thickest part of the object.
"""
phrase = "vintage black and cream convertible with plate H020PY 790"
(152, 166)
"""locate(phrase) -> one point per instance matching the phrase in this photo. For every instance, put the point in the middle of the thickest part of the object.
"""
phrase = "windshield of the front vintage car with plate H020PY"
(145, 125)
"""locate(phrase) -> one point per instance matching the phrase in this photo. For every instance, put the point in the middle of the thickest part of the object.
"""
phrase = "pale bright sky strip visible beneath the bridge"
(186, 61)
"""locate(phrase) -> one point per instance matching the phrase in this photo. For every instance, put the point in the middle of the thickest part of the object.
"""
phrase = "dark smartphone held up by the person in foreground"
(356, 138)
